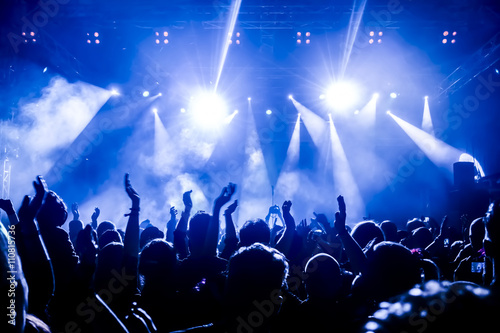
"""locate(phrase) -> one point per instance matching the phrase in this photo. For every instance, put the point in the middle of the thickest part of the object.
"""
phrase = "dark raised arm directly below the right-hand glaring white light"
(353, 250)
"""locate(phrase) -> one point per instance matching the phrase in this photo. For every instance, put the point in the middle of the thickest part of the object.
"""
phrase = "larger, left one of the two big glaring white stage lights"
(208, 110)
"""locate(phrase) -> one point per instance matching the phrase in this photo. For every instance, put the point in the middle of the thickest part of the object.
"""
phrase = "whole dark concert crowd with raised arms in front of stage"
(264, 277)
